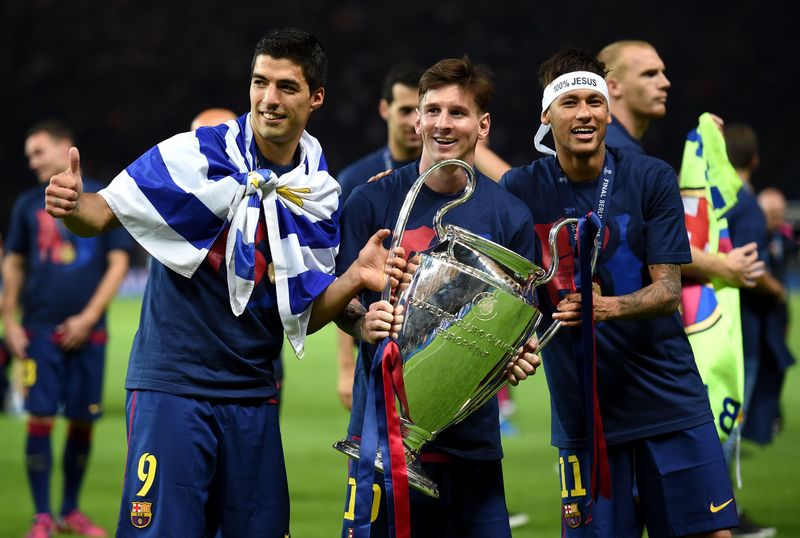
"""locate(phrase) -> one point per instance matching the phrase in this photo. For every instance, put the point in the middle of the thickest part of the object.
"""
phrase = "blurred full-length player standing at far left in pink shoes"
(63, 284)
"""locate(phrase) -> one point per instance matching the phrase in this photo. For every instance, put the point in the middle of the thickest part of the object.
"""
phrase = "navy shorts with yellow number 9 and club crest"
(199, 467)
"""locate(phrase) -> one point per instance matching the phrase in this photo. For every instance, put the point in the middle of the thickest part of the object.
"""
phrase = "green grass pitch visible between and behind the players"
(312, 419)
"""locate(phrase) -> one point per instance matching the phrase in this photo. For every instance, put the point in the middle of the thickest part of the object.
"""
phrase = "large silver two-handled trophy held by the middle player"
(468, 308)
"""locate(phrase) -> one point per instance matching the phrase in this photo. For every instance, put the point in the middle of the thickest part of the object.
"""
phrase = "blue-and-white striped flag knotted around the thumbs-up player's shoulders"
(181, 194)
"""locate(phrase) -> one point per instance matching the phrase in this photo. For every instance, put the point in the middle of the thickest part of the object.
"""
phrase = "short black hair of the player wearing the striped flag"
(298, 46)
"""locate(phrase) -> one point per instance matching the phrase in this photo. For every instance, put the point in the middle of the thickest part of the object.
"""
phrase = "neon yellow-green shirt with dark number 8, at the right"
(711, 313)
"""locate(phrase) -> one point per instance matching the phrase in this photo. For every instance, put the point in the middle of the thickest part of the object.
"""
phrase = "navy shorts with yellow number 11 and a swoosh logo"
(675, 484)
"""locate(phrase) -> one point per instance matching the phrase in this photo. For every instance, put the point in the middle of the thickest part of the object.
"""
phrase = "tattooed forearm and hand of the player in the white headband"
(660, 298)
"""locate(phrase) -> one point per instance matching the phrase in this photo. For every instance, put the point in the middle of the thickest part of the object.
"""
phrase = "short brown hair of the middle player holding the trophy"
(474, 78)
